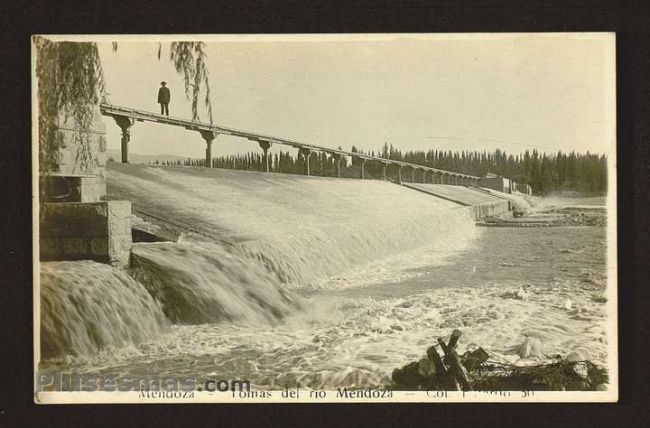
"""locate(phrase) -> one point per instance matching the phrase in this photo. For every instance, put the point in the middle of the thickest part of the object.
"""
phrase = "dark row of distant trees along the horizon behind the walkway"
(544, 172)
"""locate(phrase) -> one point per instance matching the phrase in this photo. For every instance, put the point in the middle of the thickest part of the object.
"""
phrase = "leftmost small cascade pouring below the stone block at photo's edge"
(87, 306)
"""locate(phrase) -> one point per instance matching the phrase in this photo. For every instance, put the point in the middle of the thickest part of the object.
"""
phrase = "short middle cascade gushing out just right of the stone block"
(202, 282)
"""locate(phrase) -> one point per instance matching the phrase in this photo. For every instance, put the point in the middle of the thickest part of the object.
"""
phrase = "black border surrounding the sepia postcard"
(628, 19)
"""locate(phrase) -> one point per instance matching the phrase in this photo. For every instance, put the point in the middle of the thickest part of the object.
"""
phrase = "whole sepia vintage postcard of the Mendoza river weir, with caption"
(325, 218)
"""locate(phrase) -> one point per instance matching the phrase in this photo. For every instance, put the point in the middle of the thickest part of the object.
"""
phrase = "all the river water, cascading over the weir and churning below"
(329, 301)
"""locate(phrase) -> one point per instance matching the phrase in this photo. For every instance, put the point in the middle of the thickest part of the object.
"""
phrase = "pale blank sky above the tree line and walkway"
(478, 92)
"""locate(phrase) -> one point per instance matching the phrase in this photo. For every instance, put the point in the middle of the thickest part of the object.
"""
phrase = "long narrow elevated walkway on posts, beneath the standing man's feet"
(125, 117)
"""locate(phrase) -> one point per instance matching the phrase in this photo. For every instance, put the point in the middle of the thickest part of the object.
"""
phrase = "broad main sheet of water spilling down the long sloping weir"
(301, 229)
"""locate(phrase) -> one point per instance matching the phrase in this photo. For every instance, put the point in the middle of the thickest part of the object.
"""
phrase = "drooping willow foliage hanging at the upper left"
(71, 83)
